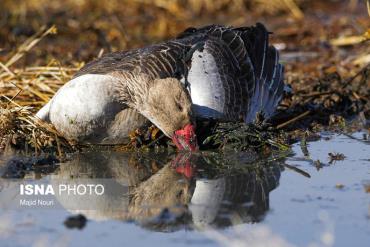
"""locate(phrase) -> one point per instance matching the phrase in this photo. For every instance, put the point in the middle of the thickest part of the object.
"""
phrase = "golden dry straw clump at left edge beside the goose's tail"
(23, 89)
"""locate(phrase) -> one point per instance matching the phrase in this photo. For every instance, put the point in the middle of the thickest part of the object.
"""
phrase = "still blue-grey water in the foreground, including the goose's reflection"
(197, 200)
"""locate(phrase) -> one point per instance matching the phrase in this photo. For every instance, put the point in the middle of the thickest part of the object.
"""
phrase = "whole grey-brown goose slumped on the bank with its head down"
(212, 72)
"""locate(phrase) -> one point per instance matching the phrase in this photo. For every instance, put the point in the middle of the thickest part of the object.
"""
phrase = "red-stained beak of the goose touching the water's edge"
(185, 139)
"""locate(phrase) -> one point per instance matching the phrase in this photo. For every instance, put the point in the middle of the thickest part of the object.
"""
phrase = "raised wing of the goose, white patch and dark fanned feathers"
(240, 73)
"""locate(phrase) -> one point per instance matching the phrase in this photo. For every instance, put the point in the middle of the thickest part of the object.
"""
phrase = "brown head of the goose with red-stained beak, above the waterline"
(168, 106)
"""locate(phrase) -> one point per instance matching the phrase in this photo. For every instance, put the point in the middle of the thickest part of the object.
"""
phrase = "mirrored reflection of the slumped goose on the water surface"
(164, 193)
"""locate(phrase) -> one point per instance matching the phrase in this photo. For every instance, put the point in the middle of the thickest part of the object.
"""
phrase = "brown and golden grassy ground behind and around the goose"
(324, 46)
